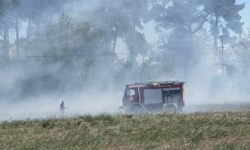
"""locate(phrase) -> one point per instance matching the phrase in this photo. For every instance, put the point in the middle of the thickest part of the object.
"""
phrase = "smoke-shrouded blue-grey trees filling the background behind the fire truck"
(50, 47)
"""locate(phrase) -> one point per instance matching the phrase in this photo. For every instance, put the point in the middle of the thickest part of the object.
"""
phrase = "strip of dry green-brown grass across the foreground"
(162, 131)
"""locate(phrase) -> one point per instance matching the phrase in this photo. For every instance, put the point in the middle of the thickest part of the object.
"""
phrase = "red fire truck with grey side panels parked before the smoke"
(151, 96)
